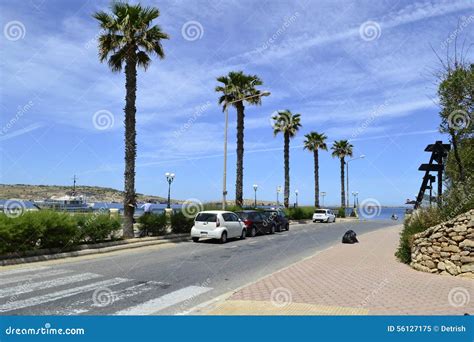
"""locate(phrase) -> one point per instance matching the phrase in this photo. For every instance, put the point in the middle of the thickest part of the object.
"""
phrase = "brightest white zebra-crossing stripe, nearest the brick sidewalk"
(160, 303)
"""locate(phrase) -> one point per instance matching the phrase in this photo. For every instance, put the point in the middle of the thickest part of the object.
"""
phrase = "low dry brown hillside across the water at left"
(93, 193)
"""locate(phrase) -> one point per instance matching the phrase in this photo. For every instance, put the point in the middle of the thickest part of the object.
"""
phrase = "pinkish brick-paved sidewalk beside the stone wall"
(359, 279)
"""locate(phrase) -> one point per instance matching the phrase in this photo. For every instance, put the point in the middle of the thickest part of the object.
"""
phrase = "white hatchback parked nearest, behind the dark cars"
(217, 224)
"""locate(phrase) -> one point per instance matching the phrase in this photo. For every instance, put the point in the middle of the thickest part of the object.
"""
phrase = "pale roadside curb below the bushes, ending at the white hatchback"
(89, 250)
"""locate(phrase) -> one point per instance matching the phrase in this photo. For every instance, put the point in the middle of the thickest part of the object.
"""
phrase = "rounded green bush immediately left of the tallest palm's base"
(97, 227)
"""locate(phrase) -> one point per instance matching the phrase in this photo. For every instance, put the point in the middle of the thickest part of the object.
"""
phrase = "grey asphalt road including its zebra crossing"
(162, 280)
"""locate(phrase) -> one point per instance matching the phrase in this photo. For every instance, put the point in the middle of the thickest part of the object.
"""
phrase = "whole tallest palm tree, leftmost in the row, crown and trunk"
(129, 38)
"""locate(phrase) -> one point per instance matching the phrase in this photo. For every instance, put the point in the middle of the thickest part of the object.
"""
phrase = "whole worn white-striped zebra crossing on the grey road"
(45, 290)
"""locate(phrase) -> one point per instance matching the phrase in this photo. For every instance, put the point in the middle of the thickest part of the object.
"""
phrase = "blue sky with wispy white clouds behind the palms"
(358, 70)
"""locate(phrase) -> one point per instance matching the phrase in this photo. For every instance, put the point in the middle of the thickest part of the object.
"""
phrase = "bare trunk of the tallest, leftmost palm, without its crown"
(130, 146)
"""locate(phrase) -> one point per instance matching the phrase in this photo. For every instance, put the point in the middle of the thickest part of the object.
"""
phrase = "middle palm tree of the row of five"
(288, 124)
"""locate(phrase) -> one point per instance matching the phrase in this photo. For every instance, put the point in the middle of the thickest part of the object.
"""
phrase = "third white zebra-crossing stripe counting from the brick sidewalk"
(50, 297)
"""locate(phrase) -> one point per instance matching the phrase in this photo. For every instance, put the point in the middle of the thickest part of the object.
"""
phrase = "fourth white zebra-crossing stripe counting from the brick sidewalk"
(30, 287)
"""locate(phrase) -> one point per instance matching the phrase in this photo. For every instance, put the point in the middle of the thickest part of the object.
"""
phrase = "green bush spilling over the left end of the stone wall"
(419, 221)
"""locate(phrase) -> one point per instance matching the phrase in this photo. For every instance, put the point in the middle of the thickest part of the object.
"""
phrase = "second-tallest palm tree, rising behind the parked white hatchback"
(236, 89)
